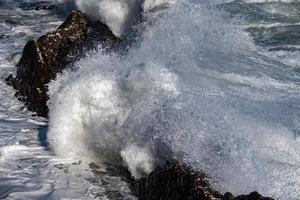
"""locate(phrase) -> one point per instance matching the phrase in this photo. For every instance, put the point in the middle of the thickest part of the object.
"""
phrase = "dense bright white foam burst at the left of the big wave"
(106, 121)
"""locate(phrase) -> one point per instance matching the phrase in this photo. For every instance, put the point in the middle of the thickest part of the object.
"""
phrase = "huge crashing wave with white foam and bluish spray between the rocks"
(195, 88)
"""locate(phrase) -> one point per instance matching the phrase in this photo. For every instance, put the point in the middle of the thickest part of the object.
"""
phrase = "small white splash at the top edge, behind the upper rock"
(119, 15)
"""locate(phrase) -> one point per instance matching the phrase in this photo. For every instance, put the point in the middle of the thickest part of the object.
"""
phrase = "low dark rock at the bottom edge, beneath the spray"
(177, 181)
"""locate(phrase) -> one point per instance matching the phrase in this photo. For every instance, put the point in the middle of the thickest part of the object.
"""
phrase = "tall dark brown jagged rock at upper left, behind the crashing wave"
(42, 59)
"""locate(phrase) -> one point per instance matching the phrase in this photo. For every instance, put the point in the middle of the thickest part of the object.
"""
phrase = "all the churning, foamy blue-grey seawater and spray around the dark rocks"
(215, 84)
